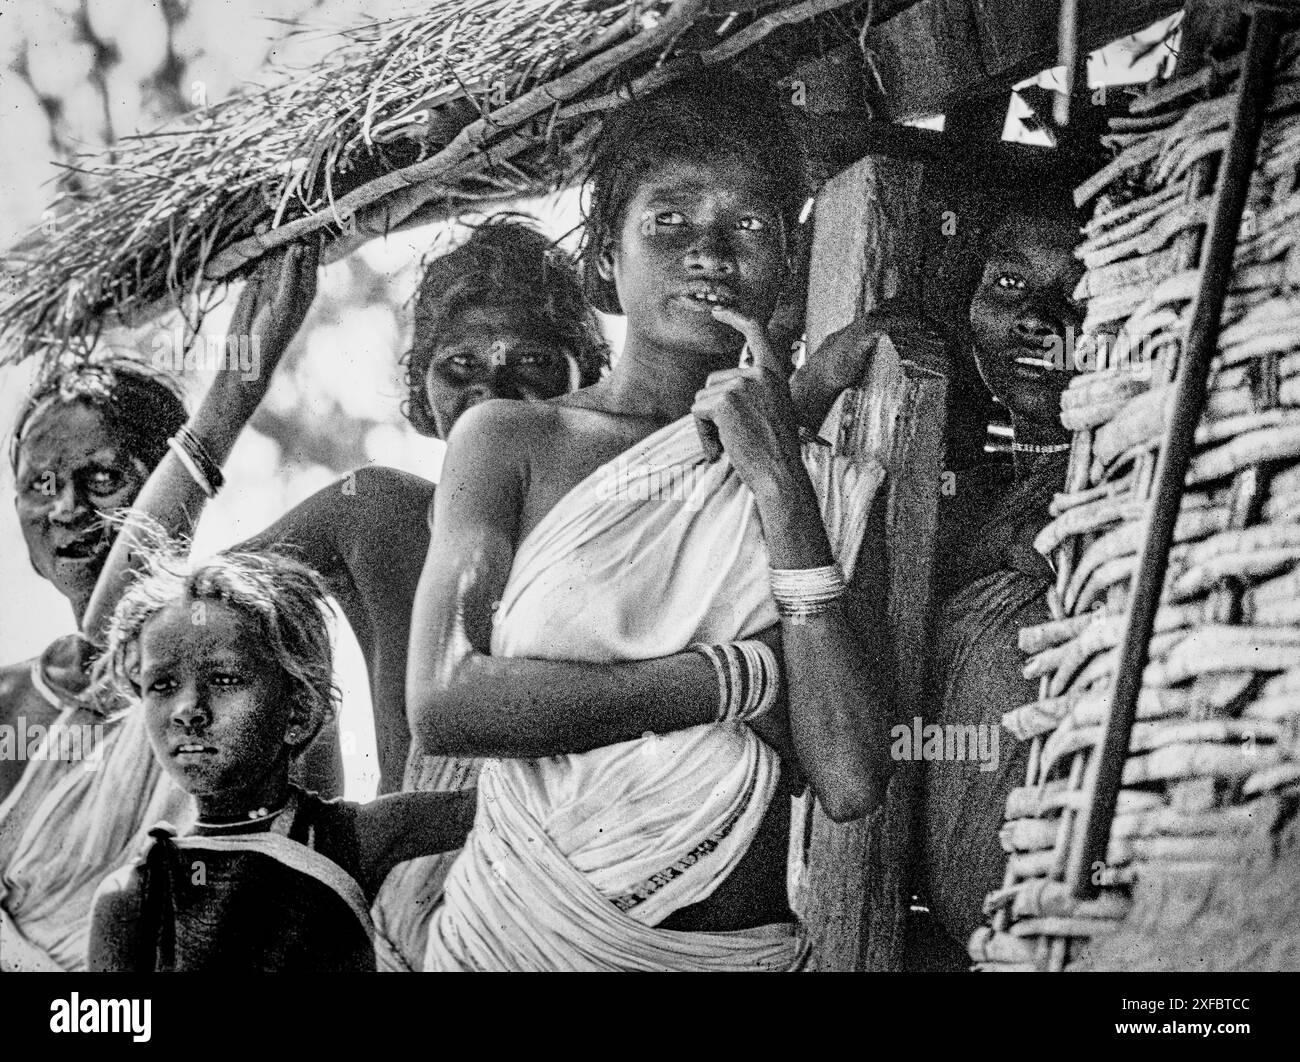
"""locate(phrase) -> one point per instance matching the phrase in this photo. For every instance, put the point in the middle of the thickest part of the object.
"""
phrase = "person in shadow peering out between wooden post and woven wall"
(991, 582)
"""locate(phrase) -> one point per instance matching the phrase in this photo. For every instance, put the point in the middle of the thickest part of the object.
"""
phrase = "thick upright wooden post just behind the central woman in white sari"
(851, 883)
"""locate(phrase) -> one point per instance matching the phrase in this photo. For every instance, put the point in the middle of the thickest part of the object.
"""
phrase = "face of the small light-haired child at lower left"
(216, 705)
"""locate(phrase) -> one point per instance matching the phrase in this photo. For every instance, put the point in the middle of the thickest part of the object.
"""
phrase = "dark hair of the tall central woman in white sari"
(704, 118)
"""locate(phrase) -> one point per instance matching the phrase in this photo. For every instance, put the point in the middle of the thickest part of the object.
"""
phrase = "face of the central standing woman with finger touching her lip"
(695, 236)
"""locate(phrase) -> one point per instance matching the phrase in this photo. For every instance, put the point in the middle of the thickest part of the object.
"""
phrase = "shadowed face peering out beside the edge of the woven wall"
(1022, 314)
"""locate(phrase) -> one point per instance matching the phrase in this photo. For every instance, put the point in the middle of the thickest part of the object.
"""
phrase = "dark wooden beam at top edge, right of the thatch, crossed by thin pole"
(942, 51)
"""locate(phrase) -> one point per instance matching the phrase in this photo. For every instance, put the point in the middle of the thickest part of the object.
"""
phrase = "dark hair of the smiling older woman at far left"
(141, 405)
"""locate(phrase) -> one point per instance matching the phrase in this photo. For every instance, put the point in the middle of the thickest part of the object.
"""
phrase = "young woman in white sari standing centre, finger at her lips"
(597, 610)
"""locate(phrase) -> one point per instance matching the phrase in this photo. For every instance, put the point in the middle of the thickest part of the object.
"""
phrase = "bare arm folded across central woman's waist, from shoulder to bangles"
(462, 700)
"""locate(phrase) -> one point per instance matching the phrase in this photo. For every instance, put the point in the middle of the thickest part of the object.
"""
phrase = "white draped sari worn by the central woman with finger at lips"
(574, 860)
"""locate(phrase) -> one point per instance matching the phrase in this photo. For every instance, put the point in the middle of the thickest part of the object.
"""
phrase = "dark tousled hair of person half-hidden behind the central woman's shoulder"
(509, 266)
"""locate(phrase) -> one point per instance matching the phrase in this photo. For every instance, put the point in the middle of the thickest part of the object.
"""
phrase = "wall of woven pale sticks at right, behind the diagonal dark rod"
(1214, 774)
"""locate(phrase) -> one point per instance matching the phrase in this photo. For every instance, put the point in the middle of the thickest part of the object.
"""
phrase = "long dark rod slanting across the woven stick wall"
(1106, 770)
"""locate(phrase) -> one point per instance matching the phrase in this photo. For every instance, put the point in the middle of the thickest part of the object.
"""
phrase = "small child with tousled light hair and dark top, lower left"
(231, 661)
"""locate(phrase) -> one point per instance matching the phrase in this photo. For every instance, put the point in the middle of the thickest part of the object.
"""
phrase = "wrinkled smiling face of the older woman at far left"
(72, 473)
